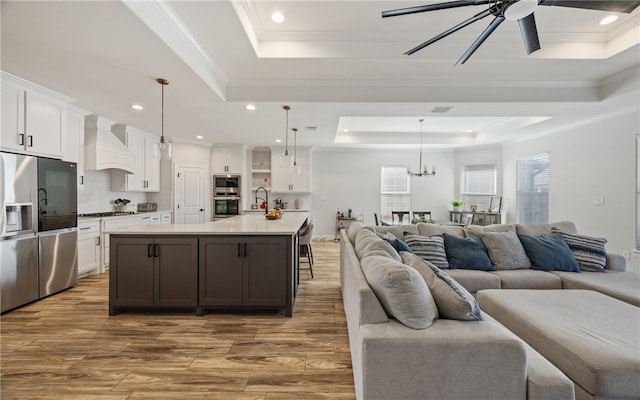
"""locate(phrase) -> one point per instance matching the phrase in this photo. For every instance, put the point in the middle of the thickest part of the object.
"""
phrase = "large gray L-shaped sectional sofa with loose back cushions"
(398, 353)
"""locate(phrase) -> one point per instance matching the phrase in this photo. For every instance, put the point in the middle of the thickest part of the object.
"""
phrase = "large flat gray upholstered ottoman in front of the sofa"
(593, 338)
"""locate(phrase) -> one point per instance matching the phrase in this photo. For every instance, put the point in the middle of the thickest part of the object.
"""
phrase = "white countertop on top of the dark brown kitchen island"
(248, 224)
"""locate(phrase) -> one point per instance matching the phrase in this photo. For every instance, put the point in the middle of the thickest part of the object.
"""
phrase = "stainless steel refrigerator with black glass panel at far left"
(38, 228)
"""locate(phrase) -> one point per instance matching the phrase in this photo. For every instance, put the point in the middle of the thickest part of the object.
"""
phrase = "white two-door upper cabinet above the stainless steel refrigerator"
(34, 118)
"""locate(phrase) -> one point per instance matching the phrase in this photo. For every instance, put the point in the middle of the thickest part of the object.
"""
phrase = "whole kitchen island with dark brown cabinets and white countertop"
(237, 263)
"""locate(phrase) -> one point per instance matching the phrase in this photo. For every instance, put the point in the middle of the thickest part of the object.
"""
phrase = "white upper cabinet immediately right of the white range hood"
(146, 151)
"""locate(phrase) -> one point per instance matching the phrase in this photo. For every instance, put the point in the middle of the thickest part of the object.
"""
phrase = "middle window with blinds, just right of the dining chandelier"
(478, 185)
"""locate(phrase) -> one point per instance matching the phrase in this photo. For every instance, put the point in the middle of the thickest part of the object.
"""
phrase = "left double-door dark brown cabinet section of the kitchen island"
(153, 272)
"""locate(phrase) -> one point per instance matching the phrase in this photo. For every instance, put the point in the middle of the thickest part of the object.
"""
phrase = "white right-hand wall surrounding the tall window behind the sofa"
(592, 160)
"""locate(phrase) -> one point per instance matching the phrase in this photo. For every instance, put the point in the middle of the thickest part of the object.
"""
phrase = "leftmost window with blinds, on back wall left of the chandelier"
(395, 190)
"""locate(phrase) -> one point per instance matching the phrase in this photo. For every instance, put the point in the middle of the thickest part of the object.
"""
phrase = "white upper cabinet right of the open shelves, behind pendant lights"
(284, 179)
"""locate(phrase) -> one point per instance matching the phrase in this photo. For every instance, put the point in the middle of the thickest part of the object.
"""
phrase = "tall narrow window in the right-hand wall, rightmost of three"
(532, 183)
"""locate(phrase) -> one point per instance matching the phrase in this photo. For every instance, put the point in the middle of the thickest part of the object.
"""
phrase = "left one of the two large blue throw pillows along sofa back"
(467, 253)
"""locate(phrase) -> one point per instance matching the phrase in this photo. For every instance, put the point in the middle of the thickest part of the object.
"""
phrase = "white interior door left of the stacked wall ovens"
(190, 194)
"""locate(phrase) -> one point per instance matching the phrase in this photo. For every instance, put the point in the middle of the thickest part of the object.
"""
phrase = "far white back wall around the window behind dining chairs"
(351, 179)
